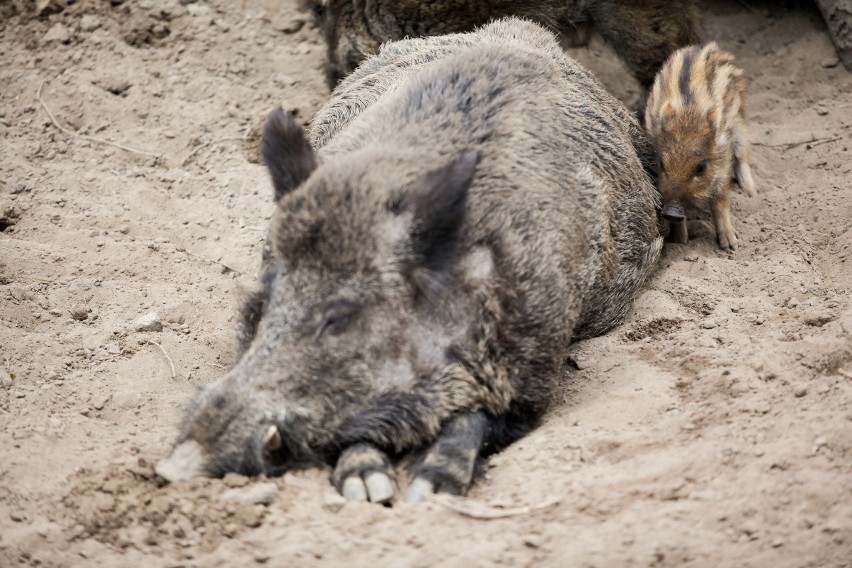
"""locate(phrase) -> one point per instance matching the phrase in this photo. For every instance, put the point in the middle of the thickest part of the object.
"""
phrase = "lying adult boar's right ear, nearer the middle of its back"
(438, 201)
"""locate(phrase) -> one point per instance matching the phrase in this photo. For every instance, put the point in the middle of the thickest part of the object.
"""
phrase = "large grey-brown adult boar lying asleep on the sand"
(475, 201)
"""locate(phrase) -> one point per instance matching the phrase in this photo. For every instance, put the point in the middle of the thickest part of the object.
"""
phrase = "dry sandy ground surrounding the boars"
(714, 428)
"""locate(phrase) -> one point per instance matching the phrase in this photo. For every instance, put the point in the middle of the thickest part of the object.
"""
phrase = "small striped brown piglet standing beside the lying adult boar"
(696, 119)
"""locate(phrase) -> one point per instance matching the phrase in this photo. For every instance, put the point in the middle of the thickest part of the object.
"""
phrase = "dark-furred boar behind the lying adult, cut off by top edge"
(643, 33)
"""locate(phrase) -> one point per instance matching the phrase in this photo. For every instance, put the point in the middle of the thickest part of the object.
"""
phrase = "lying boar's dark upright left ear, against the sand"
(286, 152)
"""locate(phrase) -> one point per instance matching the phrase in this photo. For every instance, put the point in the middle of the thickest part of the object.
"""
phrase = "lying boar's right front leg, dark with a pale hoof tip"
(447, 465)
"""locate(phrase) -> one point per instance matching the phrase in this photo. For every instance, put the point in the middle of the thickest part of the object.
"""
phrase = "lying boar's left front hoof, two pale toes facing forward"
(362, 473)
